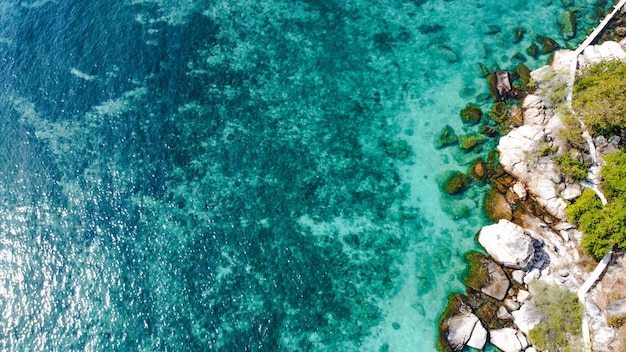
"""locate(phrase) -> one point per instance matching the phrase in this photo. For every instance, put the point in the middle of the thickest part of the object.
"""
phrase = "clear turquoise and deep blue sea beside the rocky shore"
(181, 175)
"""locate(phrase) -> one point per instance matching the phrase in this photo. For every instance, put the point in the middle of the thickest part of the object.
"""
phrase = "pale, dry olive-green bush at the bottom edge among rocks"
(561, 327)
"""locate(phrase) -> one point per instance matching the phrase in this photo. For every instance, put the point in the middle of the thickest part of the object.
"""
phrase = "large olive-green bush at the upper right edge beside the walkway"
(600, 97)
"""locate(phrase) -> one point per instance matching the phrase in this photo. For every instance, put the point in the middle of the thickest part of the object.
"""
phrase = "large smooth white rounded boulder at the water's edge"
(508, 244)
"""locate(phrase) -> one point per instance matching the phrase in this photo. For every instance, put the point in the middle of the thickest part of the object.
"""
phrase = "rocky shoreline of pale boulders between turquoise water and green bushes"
(535, 242)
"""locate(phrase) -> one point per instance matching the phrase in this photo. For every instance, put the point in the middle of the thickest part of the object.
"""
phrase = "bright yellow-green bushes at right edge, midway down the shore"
(604, 226)
